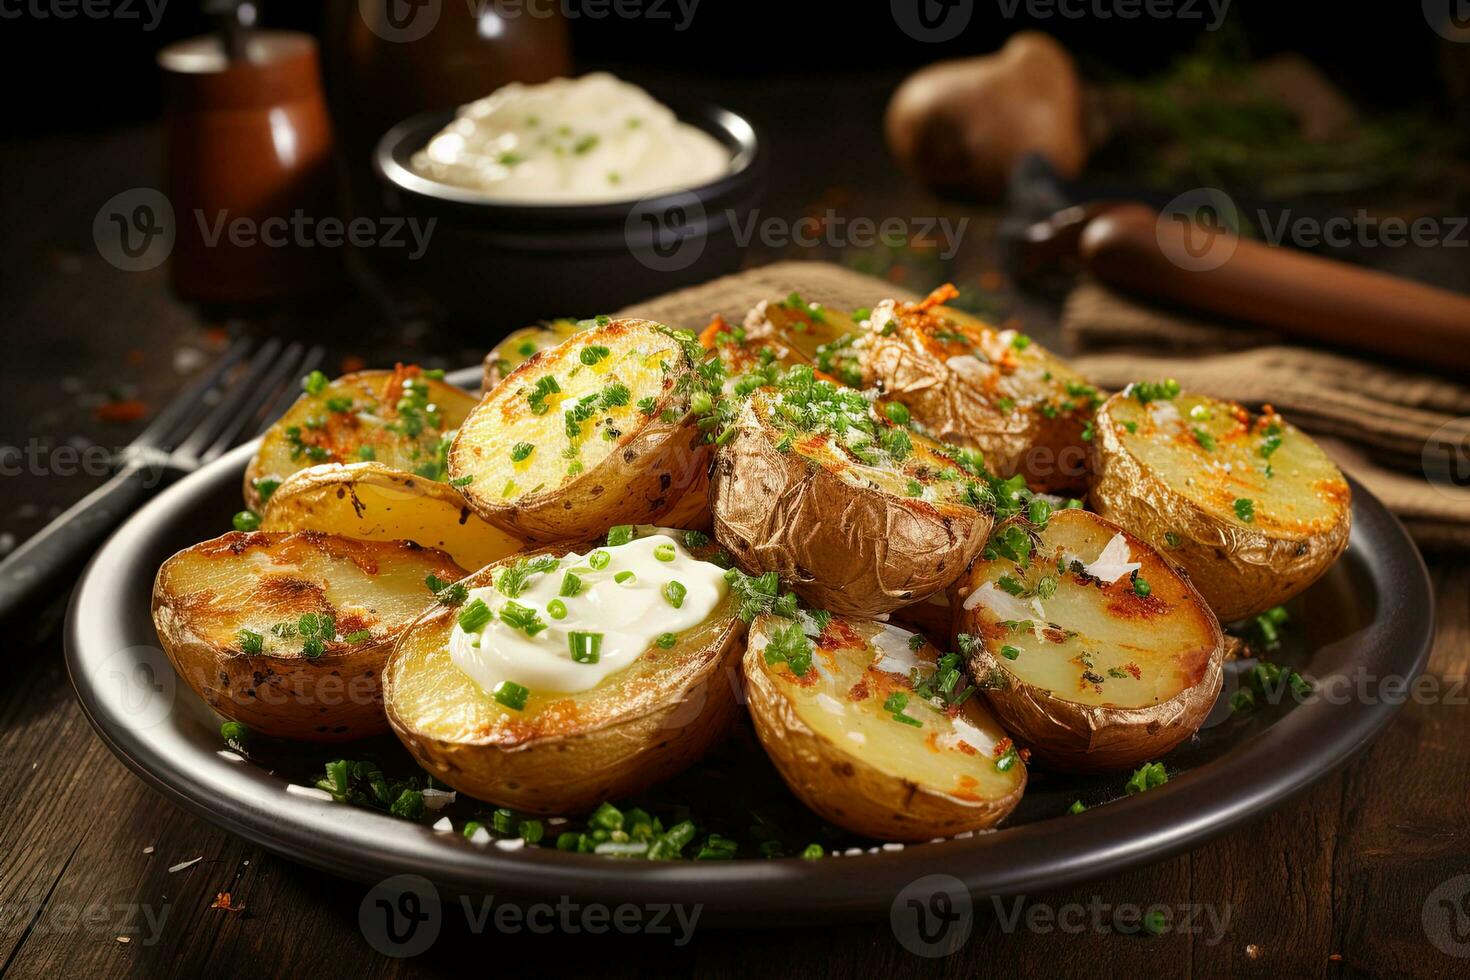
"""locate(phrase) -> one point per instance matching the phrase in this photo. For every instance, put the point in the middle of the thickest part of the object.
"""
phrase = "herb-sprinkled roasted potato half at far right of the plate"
(1247, 505)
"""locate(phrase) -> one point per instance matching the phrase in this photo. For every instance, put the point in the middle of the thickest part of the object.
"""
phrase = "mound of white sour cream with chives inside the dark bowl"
(571, 140)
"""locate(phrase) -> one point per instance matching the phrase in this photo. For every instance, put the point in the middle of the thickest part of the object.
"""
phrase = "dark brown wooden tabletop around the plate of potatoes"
(1340, 882)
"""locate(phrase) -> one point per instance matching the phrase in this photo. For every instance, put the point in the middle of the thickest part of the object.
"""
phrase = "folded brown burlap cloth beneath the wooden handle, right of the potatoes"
(1377, 422)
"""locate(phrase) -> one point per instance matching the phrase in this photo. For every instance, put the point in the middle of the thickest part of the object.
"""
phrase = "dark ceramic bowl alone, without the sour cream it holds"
(502, 267)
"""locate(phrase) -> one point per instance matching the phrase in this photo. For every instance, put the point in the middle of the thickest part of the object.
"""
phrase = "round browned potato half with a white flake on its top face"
(1090, 647)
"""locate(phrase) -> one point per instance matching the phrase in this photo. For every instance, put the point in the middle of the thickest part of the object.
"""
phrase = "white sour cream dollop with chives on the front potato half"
(630, 615)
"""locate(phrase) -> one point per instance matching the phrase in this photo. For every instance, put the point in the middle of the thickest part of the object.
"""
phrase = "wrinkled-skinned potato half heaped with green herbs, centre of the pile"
(858, 524)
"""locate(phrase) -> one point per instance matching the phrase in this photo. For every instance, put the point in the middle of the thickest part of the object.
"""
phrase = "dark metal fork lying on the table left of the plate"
(233, 400)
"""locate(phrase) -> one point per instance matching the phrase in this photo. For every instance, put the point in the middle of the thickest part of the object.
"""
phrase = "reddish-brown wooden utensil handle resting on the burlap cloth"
(1299, 295)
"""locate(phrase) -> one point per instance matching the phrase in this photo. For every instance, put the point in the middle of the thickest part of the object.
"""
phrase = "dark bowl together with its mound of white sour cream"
(570, 198)
